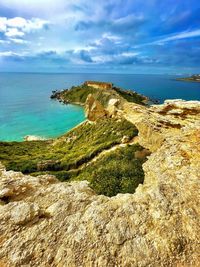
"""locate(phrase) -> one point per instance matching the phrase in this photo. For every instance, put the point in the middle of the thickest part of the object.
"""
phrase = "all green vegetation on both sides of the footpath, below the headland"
(69, 156)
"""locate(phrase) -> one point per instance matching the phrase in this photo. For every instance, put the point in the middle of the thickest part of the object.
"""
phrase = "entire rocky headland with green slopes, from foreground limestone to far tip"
(120, 189)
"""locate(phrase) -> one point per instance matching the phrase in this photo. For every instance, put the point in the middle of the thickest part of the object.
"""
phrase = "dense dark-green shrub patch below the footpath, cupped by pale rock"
(116, 172)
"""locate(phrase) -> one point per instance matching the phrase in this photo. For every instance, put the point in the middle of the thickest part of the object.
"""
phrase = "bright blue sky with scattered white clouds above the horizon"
(116, 36)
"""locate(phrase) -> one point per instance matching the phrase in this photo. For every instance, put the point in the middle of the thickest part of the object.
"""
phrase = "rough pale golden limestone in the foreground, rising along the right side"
(44, 222)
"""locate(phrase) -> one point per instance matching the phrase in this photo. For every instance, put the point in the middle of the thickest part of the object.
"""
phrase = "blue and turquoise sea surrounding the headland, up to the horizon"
(26, 108)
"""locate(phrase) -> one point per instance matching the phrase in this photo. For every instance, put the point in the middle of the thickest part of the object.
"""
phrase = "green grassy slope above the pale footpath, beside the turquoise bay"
(67, 152)
